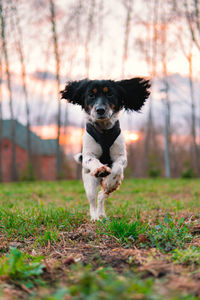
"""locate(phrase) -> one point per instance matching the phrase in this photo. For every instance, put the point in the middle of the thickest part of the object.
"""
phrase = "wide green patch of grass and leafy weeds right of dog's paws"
(165, 235)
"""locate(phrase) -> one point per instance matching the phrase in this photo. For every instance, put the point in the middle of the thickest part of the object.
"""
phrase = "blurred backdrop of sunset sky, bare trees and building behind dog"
(45, 43)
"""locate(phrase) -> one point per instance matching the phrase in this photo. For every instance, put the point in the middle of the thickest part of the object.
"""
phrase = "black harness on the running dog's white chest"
(105, 138)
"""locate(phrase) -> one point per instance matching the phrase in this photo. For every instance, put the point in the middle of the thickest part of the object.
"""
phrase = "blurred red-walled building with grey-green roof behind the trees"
(43, 153)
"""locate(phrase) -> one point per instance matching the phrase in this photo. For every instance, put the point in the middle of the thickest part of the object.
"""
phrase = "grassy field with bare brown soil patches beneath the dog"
(148, 247)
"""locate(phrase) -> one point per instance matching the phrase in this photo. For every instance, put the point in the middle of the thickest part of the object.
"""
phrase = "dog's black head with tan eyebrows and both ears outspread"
(101, 99)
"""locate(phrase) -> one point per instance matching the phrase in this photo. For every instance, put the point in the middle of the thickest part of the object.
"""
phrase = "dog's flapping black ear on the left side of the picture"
(74, 91)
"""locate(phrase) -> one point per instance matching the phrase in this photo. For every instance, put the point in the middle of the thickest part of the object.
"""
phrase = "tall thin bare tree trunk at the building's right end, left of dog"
(57, 60)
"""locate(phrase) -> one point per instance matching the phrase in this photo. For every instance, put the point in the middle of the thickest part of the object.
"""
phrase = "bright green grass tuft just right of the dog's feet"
(124, 230)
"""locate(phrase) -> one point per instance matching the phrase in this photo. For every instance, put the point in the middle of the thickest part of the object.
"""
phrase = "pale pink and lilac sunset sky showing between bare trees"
(105, 48)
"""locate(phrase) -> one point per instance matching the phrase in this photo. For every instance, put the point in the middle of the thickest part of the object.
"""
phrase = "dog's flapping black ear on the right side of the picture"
(133, 92)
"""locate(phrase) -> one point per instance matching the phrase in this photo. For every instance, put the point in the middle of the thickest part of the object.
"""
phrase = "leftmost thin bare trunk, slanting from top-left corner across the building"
(13, 133)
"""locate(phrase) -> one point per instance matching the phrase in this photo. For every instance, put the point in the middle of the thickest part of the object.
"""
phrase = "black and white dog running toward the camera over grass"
(104, 153)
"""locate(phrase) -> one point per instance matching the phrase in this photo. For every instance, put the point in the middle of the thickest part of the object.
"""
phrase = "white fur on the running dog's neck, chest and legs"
(91, 153)
